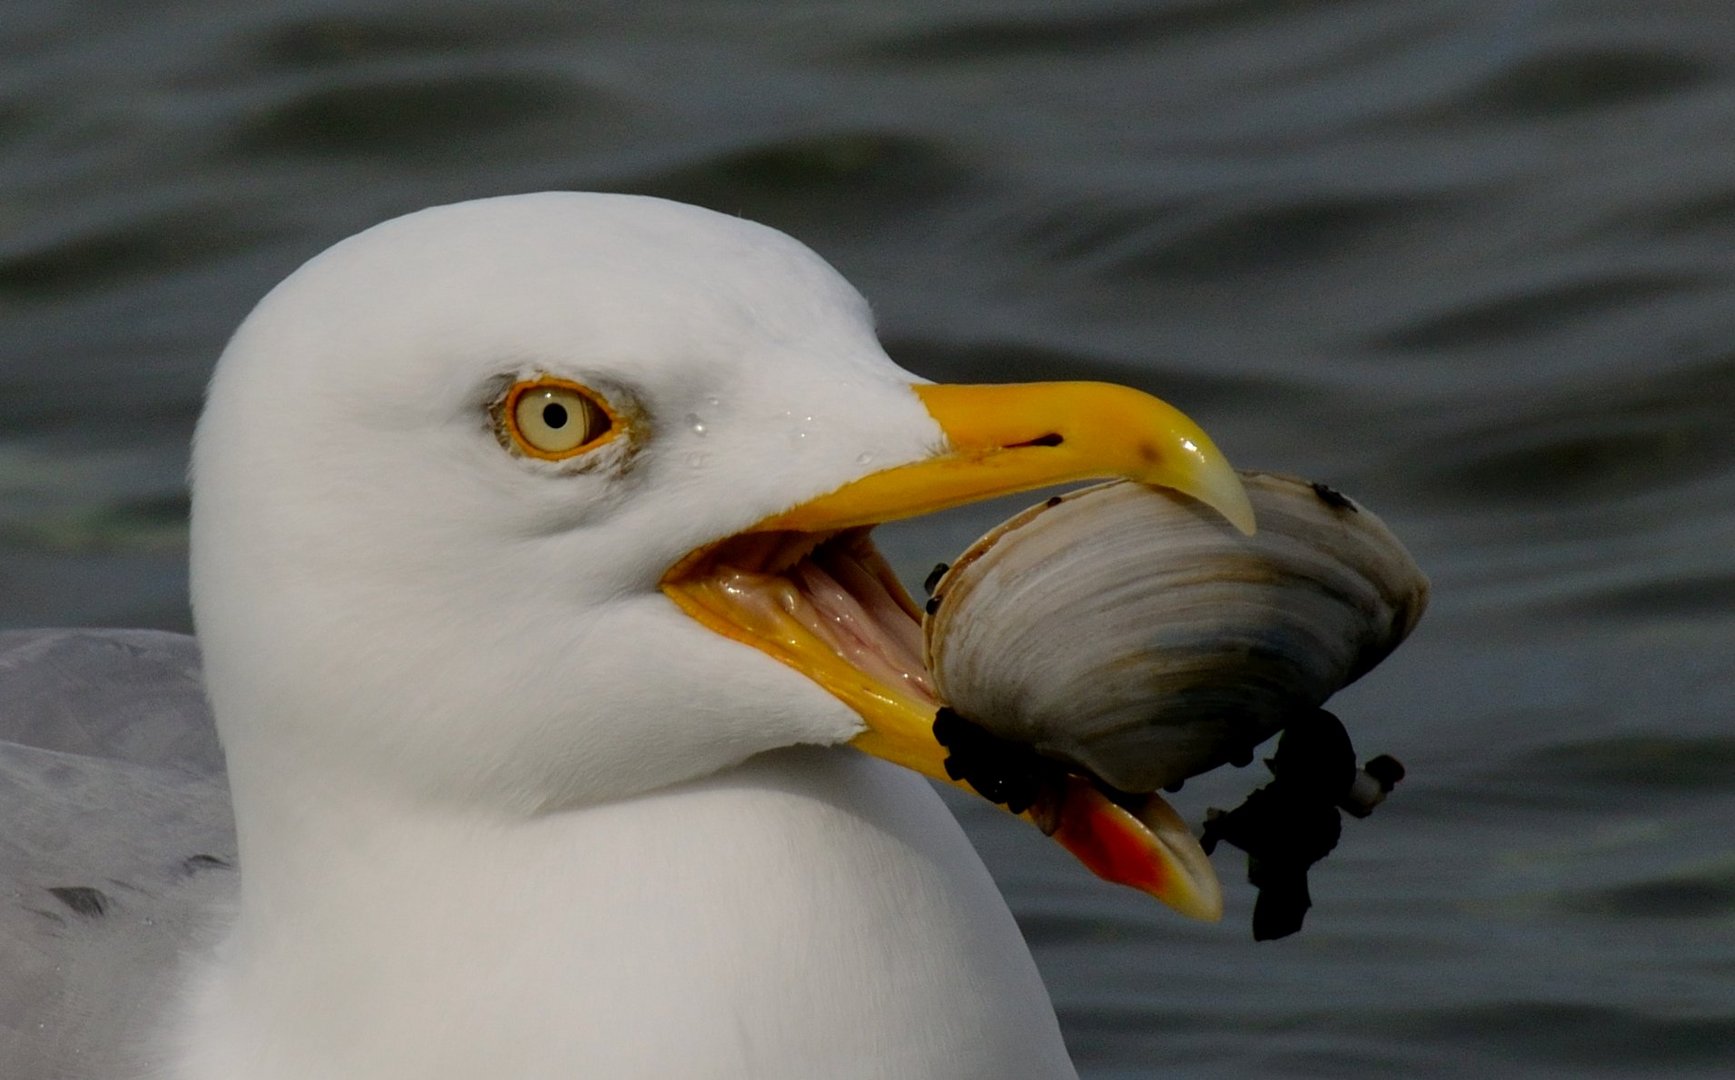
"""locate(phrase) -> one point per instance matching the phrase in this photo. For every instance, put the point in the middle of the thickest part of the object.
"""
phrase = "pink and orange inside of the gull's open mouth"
(823, 603)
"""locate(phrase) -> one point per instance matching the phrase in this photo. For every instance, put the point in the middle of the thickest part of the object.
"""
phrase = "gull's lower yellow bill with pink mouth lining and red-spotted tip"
(830, 607)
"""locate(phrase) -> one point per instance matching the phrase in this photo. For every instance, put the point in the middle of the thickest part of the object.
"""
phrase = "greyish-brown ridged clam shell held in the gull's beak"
(1136, 635)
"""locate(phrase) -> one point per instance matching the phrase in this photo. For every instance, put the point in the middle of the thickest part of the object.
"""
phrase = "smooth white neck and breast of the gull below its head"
(809, 914)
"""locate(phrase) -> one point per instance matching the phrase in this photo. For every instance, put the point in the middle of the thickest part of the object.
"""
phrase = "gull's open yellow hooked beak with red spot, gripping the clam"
(1000, 440)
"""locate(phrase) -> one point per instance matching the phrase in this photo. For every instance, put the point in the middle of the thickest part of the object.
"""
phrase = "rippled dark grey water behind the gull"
(1470, 261)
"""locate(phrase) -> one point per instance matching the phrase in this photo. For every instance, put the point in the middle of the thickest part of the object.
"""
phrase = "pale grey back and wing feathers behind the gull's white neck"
(117, 845)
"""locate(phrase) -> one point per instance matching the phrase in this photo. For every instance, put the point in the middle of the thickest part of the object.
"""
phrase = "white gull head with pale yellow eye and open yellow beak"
(549, 501)
